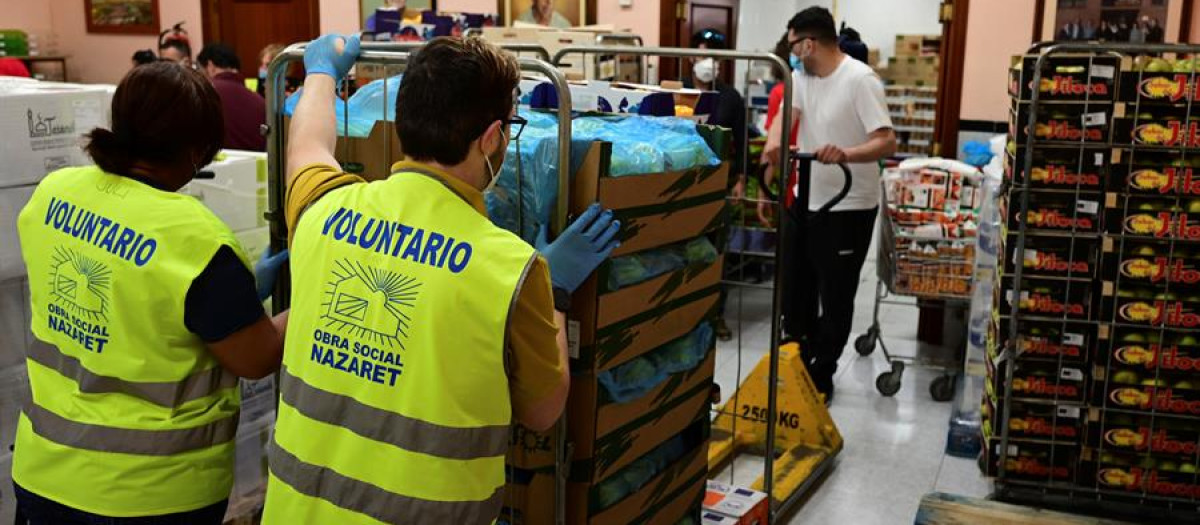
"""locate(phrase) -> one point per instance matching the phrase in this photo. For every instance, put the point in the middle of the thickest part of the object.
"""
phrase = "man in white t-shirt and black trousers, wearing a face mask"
(843, 117)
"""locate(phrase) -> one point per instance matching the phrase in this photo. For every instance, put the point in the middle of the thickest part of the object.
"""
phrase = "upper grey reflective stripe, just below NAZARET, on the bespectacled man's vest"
(391, 427)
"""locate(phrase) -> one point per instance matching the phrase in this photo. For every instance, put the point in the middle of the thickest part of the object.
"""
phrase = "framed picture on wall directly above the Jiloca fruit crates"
(1113, 21)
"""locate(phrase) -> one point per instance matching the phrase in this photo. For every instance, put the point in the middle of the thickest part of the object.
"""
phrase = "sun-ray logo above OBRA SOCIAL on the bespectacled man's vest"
(370, 303)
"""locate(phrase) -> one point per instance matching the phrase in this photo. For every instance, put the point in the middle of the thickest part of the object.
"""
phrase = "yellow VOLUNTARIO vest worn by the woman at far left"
(128, 415)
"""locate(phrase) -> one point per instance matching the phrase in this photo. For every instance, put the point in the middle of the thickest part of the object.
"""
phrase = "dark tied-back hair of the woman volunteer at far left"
(164, 114)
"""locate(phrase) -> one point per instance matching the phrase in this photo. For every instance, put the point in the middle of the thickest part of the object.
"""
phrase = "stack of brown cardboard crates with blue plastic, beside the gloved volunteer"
(643, 355)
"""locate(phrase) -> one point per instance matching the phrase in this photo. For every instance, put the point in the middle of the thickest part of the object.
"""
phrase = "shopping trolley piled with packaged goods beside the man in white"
(926, 251)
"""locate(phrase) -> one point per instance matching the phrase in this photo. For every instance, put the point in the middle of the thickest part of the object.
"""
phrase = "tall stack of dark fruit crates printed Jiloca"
(1101, 281)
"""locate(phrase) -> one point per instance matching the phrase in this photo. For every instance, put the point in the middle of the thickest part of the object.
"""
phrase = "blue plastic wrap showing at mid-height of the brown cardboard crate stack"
(639, 377)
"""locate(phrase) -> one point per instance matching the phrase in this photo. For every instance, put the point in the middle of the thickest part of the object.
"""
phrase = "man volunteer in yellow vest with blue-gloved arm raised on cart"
(419, 330)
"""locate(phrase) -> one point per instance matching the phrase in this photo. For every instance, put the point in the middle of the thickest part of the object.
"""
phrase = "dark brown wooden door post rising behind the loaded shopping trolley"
(950, 80)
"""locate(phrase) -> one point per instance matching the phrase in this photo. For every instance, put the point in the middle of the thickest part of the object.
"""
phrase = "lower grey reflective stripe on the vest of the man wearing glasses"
(364, 498)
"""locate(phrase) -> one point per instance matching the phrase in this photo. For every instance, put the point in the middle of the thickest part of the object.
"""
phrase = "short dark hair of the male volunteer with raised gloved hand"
(453, 90)
